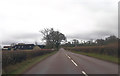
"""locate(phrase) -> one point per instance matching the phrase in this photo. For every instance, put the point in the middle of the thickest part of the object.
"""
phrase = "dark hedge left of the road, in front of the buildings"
(13, 57)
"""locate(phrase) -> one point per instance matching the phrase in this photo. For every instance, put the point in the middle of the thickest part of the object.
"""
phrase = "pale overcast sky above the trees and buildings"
(21, 20)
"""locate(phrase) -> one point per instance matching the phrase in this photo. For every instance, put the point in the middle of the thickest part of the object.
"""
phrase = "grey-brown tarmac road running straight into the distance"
(65, 62)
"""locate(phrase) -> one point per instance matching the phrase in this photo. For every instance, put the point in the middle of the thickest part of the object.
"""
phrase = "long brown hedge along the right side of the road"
(111, 50)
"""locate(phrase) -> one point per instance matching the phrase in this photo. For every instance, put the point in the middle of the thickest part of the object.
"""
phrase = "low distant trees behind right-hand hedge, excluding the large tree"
(98, 42)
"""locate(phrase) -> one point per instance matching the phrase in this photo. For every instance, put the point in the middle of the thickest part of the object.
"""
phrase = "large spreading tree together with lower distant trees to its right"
(55, 38)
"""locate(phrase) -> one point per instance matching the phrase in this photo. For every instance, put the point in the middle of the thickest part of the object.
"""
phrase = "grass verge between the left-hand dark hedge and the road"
(20, 68)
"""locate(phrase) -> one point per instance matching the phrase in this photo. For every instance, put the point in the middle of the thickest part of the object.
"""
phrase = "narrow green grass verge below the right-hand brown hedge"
(100, 56)
